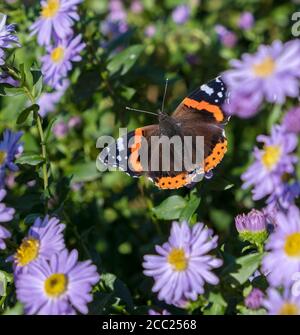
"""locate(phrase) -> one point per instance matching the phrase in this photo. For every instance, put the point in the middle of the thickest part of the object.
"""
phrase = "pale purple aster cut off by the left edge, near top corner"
(7, 37)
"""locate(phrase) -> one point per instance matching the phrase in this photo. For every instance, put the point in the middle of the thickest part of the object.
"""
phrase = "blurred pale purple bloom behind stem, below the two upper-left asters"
(47, 101)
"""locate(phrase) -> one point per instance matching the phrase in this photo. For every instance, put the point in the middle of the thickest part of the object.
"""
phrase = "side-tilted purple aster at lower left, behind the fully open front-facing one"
(44, 239)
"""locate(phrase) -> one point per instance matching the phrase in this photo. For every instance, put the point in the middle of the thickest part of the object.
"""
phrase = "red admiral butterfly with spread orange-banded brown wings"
(199, 114)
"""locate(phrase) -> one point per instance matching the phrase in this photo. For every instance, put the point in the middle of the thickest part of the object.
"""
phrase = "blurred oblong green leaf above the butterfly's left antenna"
(125, 60)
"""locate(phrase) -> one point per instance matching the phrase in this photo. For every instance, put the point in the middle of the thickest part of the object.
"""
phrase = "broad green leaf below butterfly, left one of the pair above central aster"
(170, 209)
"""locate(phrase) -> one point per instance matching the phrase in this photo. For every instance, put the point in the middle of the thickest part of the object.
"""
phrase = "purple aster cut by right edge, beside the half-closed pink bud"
(283, 259)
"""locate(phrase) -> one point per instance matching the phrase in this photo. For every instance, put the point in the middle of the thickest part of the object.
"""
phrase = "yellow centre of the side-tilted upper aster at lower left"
(27, 251)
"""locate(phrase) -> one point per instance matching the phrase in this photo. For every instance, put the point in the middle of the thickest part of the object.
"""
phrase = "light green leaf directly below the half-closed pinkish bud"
(246, 267)
